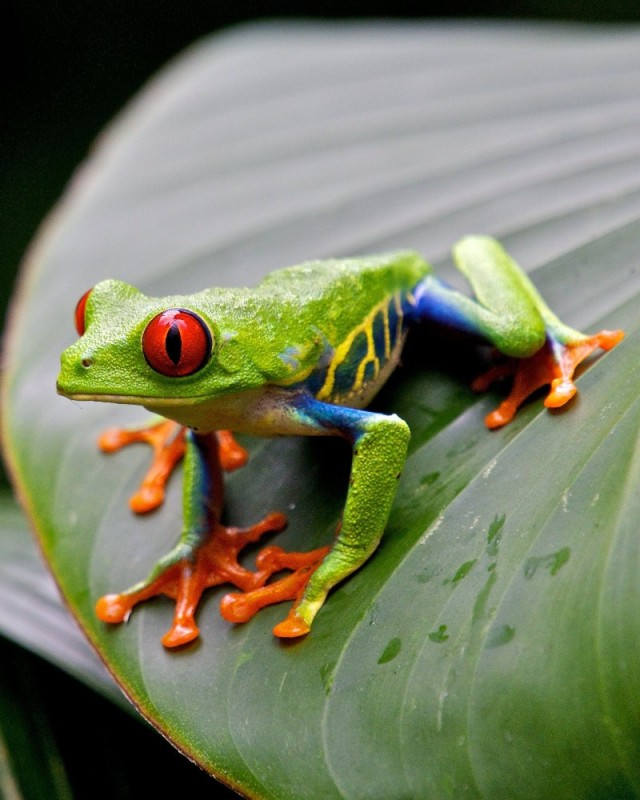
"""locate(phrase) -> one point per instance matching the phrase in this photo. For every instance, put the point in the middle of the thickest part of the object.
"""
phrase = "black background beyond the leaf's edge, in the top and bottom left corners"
(67, 67)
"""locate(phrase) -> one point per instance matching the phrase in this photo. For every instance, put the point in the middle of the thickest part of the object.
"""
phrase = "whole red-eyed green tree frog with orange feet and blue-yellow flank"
(303, 354)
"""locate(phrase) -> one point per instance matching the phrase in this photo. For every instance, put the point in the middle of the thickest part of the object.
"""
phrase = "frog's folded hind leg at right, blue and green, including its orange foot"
(509, 313)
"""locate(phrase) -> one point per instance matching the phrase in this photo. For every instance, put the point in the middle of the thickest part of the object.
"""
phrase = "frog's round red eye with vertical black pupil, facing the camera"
(176, 343)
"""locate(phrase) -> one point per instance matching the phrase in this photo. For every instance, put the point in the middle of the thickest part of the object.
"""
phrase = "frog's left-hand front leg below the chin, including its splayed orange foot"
(206, 554)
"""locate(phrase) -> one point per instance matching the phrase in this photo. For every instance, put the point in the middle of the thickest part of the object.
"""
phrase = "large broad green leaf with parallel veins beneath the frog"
(489, 649)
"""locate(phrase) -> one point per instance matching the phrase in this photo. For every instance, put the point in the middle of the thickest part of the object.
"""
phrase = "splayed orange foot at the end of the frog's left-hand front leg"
(186, 572)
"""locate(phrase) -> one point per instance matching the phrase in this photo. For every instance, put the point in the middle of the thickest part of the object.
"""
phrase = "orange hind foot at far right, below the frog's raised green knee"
(553, 364)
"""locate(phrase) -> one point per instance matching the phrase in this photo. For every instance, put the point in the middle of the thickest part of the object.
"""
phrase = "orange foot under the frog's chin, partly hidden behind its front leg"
(166, 439)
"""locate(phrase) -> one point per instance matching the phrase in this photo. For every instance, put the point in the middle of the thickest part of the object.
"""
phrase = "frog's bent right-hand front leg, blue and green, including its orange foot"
(379, 451)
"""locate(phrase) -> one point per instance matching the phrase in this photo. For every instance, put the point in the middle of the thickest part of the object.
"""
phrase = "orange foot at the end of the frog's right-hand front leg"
(242, 606)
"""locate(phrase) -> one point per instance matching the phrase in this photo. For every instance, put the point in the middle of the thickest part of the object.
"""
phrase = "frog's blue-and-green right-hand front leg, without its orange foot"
(379, 451)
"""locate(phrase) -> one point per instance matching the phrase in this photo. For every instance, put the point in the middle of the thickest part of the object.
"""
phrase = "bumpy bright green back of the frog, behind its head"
(296, 314)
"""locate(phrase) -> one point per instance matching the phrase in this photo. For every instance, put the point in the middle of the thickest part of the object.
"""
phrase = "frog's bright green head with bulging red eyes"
(138, 349)
